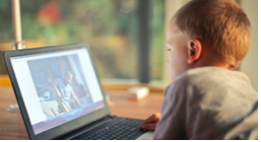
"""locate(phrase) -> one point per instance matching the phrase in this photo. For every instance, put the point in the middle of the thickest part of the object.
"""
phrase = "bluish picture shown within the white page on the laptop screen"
(60, 87)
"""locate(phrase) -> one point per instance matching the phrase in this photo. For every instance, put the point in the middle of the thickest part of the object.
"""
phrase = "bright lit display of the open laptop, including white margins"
(57, 87)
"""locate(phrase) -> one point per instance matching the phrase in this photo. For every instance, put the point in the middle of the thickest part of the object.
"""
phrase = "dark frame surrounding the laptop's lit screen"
(64, 128)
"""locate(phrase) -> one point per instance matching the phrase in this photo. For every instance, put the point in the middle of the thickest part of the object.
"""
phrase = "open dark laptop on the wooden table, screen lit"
(60, 96)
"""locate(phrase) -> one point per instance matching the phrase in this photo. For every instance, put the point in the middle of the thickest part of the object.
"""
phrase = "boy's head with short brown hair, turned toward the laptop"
(207, 33)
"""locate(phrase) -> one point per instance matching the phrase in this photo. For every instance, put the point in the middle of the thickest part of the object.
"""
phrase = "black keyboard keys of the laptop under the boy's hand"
(126, 129)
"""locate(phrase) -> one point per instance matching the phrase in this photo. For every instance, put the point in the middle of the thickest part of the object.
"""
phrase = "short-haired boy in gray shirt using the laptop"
(207, 40)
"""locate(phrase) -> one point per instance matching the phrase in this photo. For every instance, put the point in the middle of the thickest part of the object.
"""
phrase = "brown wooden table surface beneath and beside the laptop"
(12, 125)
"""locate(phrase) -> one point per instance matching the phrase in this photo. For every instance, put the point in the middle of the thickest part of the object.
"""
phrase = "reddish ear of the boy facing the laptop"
(194, 50)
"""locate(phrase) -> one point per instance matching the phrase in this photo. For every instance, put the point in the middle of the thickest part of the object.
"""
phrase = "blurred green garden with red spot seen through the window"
(108, 26)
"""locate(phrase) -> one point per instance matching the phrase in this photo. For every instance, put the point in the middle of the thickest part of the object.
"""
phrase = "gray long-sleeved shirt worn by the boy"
(209, 103)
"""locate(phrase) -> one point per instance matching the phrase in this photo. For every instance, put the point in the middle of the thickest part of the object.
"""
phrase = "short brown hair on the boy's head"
(220, 24)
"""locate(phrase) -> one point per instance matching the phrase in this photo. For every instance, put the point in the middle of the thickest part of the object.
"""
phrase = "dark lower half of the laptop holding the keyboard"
(111, 128)
